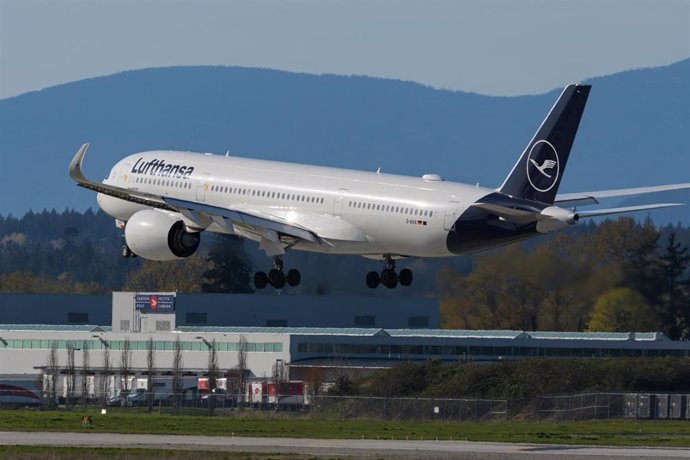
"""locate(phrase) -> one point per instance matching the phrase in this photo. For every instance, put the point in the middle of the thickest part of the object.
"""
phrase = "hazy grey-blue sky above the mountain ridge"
(489, 47)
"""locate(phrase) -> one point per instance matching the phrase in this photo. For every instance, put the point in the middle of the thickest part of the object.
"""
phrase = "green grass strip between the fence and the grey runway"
(597, 432)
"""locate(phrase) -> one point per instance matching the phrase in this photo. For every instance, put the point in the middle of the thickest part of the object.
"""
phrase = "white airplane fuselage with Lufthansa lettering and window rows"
(387, 214)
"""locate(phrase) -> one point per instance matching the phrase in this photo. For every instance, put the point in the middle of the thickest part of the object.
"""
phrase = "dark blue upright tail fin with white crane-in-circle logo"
(538, 173)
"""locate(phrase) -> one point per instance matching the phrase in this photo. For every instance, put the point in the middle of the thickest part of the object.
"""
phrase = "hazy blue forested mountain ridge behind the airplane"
(634, 131)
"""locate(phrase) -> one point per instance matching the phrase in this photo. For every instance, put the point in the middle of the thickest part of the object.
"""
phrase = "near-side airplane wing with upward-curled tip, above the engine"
(268, 225)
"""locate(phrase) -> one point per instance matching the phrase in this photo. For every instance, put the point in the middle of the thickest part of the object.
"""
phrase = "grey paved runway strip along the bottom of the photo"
(353, 448)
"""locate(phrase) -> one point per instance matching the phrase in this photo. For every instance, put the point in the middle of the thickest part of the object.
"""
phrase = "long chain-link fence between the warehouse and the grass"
(564, 408)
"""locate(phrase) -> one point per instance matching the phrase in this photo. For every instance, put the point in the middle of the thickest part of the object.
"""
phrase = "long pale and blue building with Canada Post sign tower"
(359, 336)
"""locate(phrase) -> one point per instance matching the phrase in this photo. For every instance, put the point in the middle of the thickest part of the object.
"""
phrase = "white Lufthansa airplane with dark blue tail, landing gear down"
(164, 200)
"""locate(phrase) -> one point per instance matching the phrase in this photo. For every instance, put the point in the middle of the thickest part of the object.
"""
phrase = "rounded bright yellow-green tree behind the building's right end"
(622, 310)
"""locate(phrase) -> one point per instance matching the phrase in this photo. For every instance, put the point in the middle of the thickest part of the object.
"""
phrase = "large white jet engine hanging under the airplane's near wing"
(157, 235)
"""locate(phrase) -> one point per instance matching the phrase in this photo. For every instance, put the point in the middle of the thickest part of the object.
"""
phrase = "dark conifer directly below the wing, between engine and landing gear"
(230, 269)
